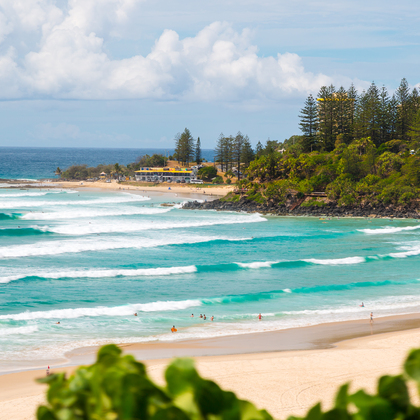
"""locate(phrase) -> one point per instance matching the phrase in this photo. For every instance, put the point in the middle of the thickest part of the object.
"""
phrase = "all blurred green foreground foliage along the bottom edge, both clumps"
(118, 387)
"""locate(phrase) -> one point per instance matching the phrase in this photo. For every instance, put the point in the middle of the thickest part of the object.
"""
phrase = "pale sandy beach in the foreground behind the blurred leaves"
(283, 382)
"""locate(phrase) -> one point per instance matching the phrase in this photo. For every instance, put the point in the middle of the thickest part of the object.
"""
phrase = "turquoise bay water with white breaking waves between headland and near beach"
(90, 260)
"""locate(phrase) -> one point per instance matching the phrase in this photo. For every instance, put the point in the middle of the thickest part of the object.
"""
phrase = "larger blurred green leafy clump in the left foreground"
(117, 388)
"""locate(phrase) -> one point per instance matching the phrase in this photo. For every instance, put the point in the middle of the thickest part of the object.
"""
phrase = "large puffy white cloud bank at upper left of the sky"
(218, 64)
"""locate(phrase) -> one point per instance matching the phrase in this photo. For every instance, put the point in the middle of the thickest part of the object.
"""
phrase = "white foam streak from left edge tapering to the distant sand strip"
(49, 203)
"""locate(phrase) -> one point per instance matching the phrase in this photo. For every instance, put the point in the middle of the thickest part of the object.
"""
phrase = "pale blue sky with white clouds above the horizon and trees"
(134, 73)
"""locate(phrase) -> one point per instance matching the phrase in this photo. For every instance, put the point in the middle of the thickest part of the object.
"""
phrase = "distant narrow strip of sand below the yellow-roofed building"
(196, 189)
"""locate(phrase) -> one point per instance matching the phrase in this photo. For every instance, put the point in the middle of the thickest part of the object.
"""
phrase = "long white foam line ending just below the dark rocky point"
(119, 226)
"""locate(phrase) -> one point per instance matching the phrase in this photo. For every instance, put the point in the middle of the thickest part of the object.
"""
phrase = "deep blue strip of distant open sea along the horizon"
(41, 162)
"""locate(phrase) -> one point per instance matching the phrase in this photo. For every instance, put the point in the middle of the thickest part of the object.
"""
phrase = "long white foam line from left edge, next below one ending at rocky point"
(101, 244)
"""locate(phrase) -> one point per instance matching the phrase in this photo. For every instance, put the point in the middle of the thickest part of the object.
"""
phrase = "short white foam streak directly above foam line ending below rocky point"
(93, 213)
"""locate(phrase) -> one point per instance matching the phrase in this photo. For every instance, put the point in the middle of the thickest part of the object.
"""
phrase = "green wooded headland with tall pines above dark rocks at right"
(354, 148)
